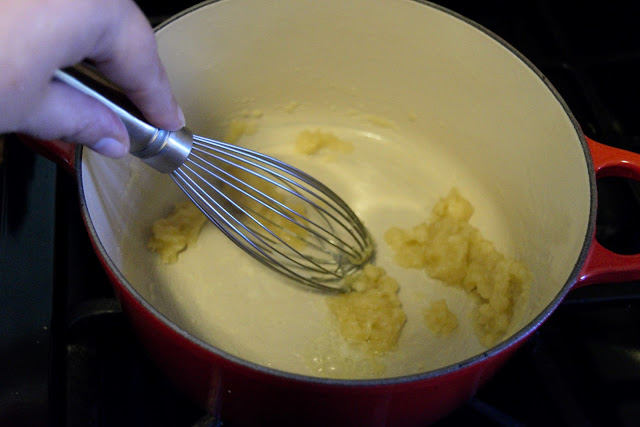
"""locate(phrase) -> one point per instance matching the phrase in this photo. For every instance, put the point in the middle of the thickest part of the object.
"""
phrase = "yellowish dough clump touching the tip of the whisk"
(371, 315)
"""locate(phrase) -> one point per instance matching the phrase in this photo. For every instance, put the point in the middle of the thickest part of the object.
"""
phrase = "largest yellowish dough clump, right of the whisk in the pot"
(455, 252)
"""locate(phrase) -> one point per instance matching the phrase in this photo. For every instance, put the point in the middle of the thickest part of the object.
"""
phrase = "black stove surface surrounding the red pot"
(68, 357)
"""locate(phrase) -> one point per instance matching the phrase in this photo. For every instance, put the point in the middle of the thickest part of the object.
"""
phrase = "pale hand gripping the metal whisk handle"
(40, 36)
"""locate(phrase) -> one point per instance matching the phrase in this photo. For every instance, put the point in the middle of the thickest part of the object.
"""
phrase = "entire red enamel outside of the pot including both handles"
(246, 395)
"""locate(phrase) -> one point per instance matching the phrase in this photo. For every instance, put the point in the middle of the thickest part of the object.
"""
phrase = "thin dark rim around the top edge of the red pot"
(513, 340)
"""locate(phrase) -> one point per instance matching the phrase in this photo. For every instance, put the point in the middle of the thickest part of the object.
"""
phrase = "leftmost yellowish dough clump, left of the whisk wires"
(172, 235)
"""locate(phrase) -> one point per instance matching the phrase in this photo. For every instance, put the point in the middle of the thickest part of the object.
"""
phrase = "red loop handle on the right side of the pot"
(603, 265)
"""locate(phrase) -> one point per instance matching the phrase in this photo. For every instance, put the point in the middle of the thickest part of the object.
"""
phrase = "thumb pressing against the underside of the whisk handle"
(67, 114)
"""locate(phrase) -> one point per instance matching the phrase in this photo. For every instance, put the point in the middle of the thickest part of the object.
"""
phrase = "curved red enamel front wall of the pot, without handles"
(247, 396)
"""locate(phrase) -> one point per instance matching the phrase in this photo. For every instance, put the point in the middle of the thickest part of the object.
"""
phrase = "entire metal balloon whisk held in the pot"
(278, 214)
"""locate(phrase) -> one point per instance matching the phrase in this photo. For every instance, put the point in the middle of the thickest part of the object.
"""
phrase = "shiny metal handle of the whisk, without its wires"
(161, 149)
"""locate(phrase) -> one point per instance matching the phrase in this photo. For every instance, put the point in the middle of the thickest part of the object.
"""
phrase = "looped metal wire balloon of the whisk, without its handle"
(280, 215)
